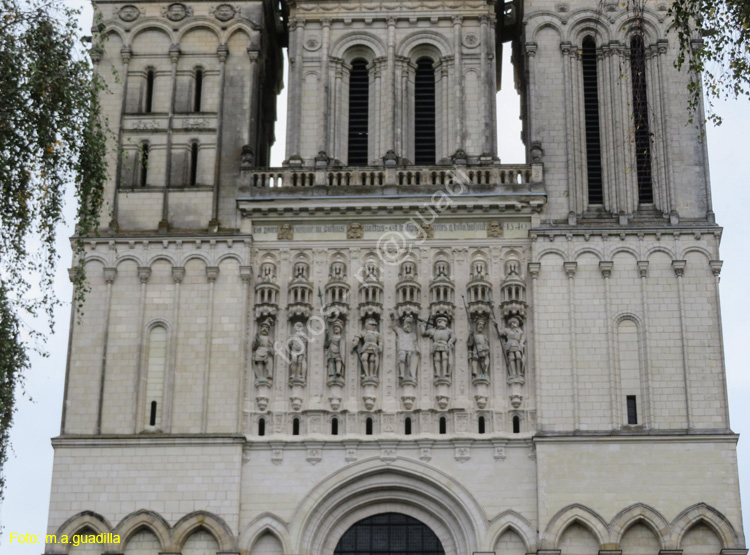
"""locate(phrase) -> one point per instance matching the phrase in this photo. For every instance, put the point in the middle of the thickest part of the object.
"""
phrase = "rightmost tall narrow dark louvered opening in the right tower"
(640, 120)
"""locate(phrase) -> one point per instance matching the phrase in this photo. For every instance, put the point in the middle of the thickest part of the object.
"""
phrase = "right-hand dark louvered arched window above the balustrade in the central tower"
(424, 113)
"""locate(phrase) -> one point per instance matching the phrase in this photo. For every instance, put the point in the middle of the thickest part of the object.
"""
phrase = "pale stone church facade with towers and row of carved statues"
(394, 343)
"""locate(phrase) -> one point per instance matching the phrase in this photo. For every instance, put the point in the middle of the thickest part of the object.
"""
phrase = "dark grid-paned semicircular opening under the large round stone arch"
(389, 534)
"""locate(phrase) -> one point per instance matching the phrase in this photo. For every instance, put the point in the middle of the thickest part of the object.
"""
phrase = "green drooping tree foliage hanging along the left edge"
(51, 140)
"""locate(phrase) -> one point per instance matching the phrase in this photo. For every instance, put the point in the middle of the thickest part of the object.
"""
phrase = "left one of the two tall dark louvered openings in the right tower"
(591, 111)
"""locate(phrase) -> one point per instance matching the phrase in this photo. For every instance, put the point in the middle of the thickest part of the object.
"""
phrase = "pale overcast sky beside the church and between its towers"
(29, 469)
